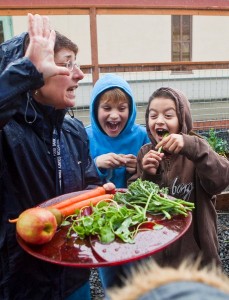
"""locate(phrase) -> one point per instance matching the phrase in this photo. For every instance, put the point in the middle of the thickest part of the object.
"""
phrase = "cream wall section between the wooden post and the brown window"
(134, 39)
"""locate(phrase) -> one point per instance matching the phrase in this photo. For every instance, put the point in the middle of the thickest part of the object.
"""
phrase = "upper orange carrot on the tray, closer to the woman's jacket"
(90, 194)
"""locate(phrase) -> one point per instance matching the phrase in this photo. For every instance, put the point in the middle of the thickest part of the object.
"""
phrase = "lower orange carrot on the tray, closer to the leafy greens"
(70, 209)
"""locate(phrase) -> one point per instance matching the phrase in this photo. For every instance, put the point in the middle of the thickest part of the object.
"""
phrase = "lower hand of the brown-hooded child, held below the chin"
(151, 161)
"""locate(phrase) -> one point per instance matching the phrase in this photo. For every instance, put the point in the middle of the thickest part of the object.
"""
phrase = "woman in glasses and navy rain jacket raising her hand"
(43, 154)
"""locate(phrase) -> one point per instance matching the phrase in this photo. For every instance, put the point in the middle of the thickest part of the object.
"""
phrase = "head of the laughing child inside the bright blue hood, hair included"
(113, 107)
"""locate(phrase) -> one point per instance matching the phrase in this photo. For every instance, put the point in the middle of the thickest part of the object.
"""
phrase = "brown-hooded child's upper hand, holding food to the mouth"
(173, 143)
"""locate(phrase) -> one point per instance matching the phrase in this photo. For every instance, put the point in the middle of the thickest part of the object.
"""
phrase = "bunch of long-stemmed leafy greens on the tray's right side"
(154, 200)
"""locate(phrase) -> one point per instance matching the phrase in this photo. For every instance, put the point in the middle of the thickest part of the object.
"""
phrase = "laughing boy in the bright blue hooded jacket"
(114, 137)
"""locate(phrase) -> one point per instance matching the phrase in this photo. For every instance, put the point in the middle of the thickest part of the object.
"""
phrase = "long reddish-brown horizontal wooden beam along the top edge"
(50, 7)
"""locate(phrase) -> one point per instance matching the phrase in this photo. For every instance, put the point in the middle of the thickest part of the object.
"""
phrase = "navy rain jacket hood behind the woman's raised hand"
(12, 50)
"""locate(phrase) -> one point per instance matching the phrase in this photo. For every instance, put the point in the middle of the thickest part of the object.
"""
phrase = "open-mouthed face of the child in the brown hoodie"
(162, 118)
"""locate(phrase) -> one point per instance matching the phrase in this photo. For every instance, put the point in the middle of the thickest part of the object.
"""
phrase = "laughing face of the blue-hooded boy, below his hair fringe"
(112, 117)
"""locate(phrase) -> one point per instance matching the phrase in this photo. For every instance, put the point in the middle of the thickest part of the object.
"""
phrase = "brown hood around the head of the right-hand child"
(182, 108)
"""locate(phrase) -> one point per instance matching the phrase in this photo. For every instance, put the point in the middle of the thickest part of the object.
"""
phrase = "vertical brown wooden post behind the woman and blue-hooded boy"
(94, 45)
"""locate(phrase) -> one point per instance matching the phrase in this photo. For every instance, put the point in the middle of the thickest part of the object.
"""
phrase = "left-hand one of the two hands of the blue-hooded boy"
(110, 161)
